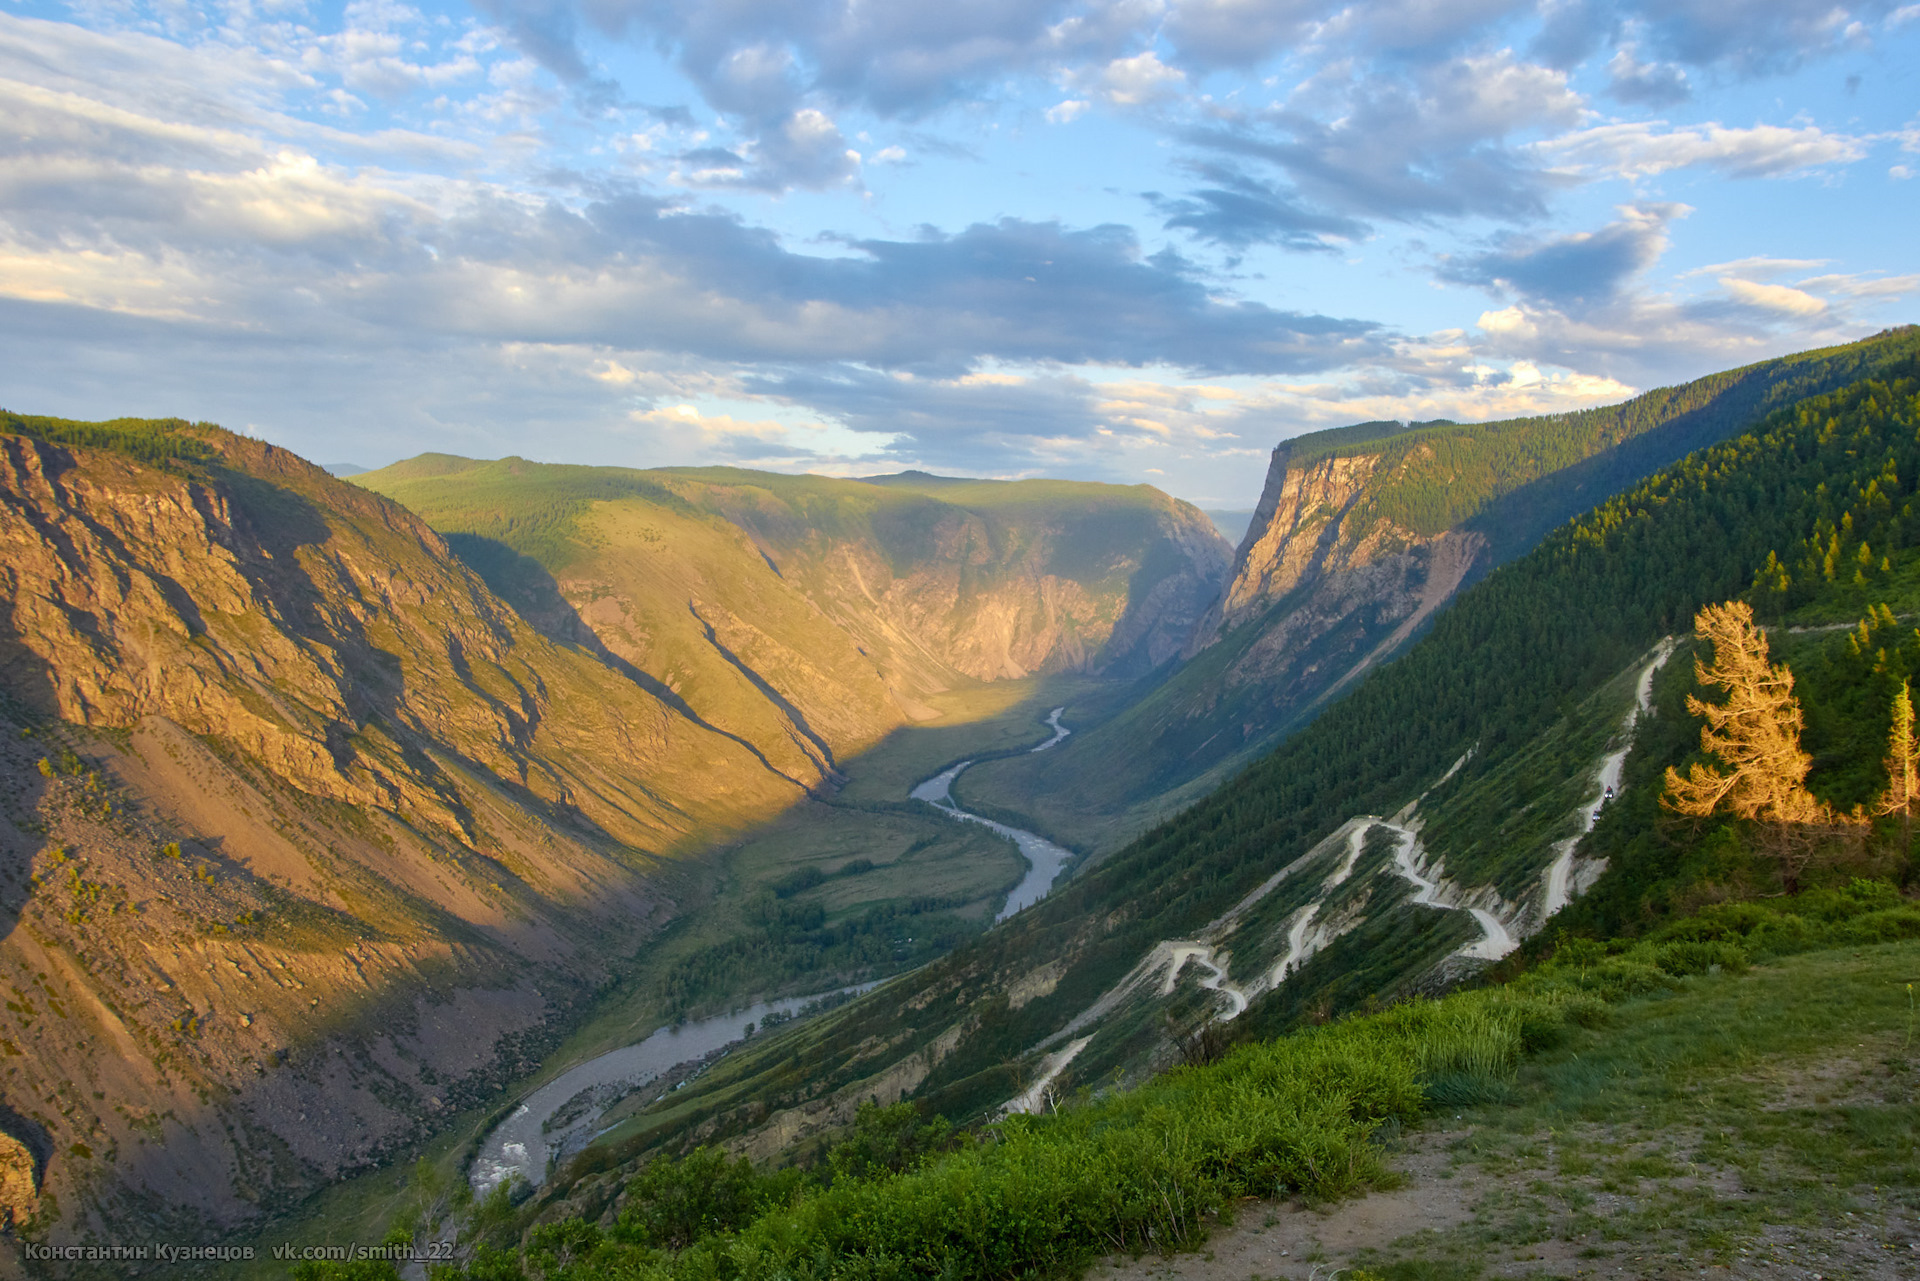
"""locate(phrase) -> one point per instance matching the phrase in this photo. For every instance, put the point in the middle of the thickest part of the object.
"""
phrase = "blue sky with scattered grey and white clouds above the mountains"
(1132, 241)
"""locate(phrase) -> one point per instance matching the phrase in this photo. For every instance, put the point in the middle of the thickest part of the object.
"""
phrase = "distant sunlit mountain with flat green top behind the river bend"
(811, 616)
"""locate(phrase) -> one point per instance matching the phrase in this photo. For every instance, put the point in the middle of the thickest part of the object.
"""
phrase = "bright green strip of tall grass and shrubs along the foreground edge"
(1136, 1171)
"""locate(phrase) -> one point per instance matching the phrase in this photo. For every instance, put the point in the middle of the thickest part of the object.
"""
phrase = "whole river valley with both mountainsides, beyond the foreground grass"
(362, 815)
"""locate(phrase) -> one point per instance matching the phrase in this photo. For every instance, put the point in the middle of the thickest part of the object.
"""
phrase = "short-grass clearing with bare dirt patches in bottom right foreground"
(1742, 1126)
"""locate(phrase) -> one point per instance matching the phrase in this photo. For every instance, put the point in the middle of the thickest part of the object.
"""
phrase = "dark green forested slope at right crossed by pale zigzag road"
(1485, 744)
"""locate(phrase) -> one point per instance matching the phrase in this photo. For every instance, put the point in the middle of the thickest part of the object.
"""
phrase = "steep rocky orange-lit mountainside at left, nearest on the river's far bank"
(306, 836)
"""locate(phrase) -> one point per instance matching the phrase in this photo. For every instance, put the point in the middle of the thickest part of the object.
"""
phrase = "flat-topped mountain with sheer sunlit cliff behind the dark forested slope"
(1360, 539)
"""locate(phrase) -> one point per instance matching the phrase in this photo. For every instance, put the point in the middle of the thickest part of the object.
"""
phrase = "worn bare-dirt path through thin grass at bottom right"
(1470, 1209)
